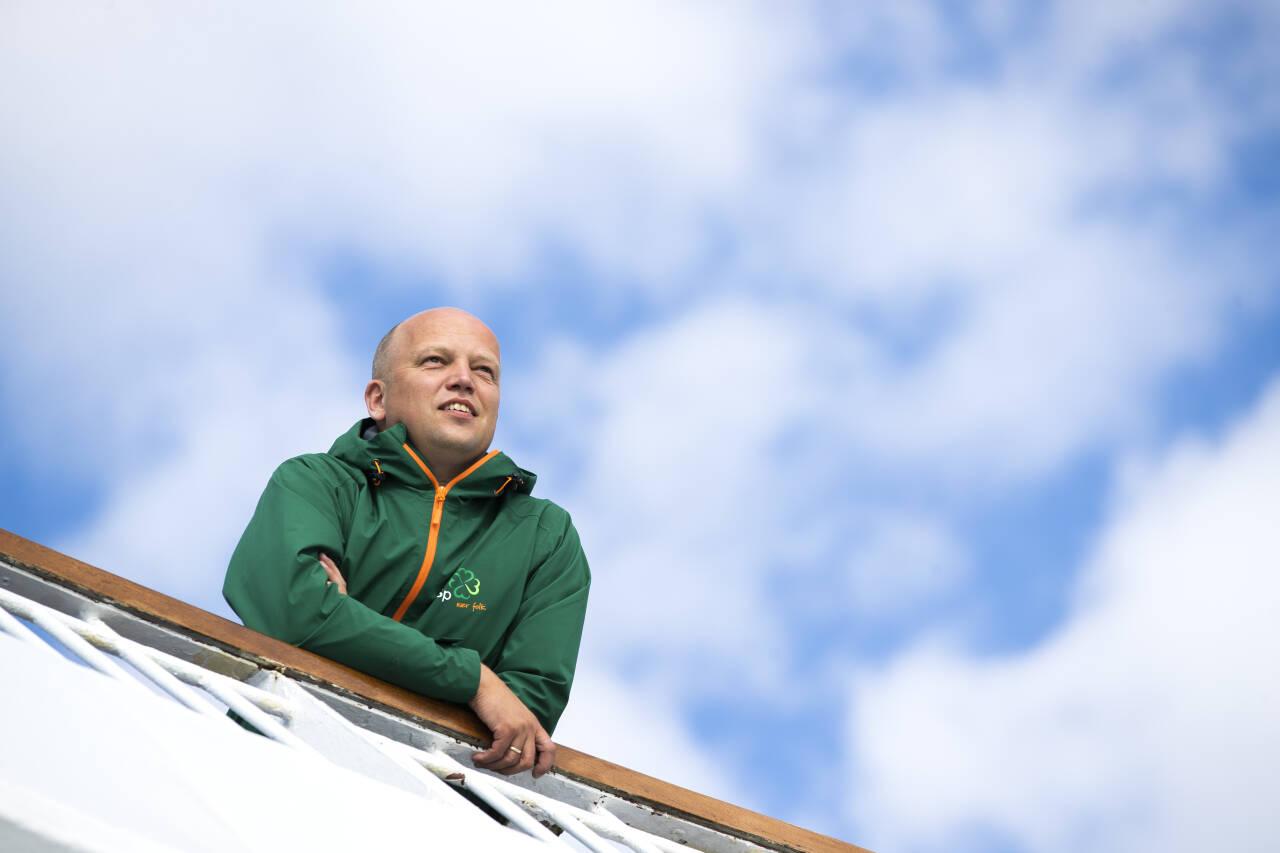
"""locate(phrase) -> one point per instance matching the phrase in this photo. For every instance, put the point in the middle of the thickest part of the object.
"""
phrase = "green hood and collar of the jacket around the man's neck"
(387, 457)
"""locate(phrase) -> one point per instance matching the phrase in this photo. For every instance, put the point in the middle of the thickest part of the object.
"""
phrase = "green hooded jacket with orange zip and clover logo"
(441, 577)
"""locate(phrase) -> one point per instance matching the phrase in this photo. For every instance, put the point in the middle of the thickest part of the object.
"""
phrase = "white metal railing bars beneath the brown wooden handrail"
(284, 711)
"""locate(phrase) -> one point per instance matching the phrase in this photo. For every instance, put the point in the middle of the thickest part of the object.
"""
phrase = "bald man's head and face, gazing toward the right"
(444, 386)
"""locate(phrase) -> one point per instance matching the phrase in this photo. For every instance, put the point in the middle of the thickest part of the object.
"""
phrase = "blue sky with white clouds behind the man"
(912, 371)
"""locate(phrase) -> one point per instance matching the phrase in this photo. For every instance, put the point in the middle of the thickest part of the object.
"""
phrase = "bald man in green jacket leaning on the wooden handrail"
(413, 553)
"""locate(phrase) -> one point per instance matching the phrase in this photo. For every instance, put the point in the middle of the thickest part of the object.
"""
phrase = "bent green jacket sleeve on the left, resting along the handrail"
(277, 586)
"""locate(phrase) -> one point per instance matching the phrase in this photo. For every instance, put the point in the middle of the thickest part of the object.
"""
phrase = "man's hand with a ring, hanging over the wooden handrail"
(519, 741)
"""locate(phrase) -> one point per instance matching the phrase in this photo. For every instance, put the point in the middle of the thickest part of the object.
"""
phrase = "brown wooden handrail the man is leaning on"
(456, 720)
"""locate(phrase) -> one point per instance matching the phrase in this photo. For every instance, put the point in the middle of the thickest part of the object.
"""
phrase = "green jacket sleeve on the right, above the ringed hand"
(538, 659)
